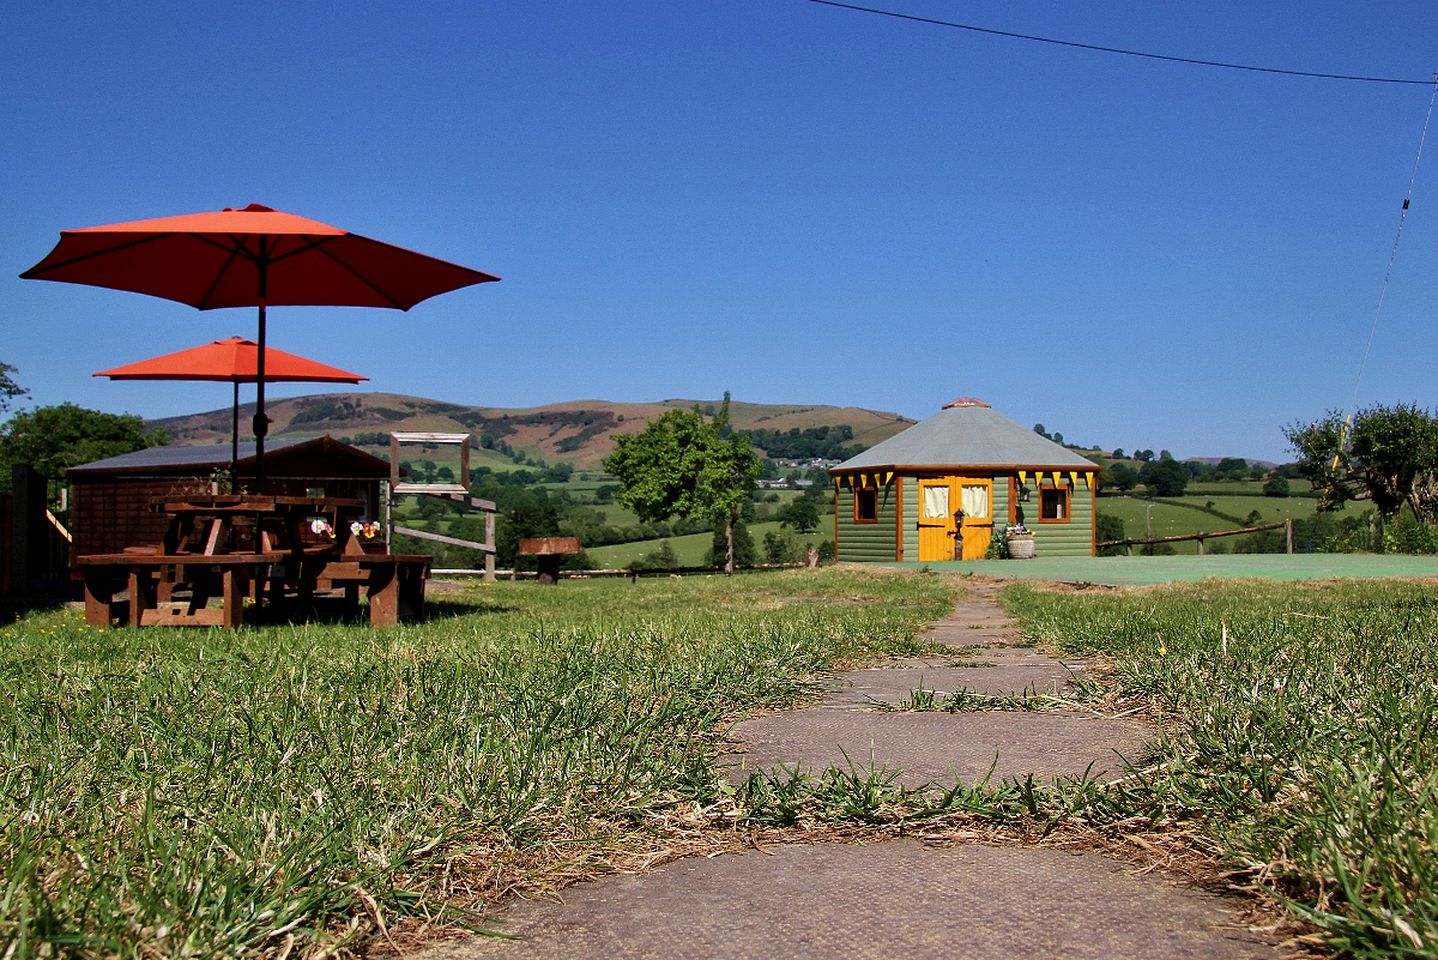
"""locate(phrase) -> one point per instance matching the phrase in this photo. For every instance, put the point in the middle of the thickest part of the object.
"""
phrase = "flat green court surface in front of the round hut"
(1142, 571)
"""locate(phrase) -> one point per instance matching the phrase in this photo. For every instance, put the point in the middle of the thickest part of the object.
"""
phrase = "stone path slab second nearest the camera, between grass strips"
(934, 748)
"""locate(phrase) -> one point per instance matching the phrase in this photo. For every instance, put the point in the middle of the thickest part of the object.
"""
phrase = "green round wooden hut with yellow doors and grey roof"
(940, 489)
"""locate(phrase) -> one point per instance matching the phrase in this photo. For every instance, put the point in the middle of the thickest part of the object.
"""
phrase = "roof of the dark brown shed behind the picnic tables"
(193, 459)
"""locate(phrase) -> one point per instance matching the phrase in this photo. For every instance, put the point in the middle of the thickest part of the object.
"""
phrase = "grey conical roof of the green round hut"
(967, 433)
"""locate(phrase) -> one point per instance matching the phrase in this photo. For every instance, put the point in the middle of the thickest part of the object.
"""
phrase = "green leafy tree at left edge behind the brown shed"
(51, 439)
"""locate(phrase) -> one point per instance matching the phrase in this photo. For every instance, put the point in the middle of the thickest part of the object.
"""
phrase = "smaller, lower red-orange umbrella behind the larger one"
(238, 361)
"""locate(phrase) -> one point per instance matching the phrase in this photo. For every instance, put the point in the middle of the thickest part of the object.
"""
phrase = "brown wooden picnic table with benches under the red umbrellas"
(237, 548)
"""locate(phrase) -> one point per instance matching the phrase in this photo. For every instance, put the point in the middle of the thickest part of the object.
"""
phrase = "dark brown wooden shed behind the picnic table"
(110, 499)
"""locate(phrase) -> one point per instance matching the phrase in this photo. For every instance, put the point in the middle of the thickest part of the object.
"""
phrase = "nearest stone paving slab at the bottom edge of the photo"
(875, 902)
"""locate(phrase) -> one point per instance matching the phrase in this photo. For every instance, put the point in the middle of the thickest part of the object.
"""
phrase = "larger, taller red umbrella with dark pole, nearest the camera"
(251, 258)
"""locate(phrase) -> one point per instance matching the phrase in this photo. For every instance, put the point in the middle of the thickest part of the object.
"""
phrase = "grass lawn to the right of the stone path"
(1302, 737)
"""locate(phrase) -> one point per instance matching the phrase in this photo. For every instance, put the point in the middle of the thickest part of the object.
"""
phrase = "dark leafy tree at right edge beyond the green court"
(1390, 456)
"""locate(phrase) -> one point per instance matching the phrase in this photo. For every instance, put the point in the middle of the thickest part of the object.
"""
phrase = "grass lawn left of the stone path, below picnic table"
(291, 790)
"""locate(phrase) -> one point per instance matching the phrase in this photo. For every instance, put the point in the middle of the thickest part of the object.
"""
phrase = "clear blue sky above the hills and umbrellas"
(790, 202)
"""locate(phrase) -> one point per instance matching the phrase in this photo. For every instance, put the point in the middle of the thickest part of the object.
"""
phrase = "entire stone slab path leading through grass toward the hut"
(872, 899)
